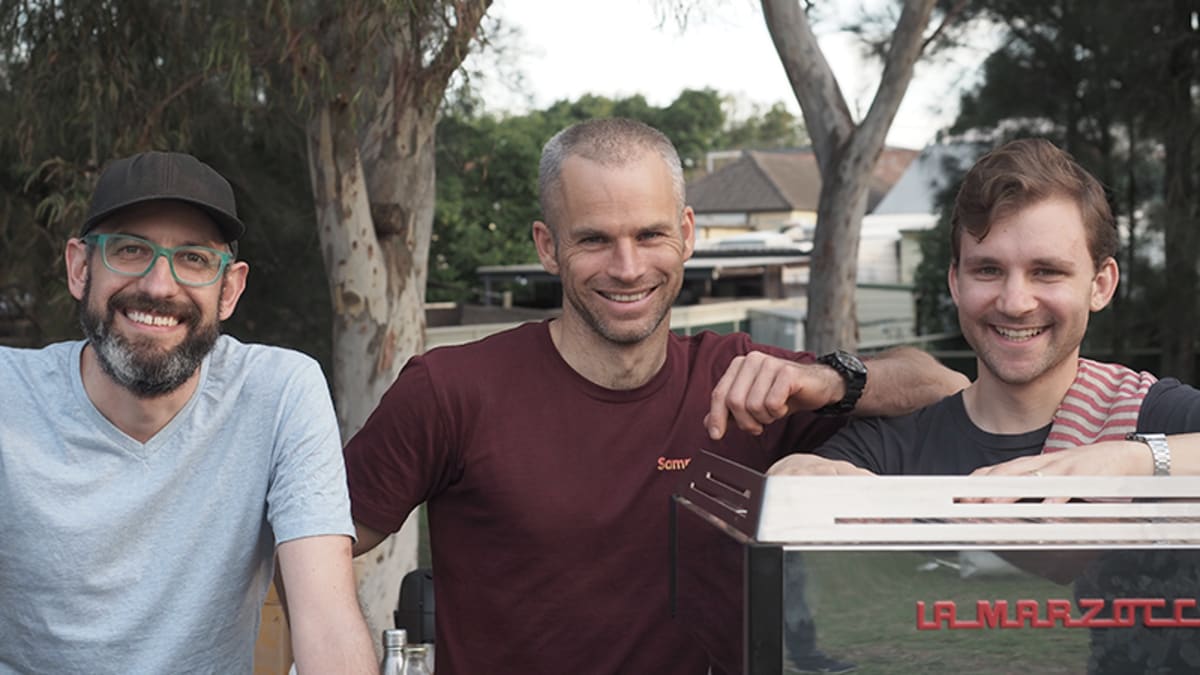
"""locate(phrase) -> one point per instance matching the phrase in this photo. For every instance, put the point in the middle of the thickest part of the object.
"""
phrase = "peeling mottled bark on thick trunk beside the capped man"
(375, 196)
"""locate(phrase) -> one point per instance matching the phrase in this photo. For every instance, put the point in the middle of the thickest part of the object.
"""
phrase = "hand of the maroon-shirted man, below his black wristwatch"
(759, 389)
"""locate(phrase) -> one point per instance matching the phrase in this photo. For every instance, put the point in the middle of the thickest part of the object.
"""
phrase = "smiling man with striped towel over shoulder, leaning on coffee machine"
(1034, 244)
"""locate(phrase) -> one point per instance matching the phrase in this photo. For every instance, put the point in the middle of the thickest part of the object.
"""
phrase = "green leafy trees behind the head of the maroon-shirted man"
(488, 171)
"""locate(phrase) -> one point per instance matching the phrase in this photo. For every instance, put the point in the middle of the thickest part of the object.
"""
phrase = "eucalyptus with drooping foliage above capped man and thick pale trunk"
(361, 81)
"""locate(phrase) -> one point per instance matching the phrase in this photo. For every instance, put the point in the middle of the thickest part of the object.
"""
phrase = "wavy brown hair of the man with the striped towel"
(1021, 175)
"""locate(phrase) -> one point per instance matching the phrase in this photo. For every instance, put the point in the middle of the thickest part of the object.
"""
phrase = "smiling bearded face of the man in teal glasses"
(151, 333)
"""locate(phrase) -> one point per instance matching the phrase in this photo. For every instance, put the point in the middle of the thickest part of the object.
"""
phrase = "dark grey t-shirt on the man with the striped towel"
(941, 440)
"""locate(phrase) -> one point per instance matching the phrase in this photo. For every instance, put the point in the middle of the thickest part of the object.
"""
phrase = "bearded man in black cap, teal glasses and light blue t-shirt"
(151, 474)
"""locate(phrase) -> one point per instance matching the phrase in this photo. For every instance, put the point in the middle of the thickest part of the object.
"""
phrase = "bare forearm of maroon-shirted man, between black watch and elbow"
(903, 380)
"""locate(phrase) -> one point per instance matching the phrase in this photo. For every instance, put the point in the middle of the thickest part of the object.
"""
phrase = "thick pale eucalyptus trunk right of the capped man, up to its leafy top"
(373, 77)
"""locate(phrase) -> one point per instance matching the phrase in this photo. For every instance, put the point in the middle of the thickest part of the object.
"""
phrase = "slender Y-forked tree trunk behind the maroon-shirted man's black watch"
(847, 154)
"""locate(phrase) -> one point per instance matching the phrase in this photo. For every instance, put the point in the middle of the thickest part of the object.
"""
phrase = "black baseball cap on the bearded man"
(149, 177)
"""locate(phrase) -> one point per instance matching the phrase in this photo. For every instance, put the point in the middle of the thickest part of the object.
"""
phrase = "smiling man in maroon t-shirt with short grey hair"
(548, 453)
